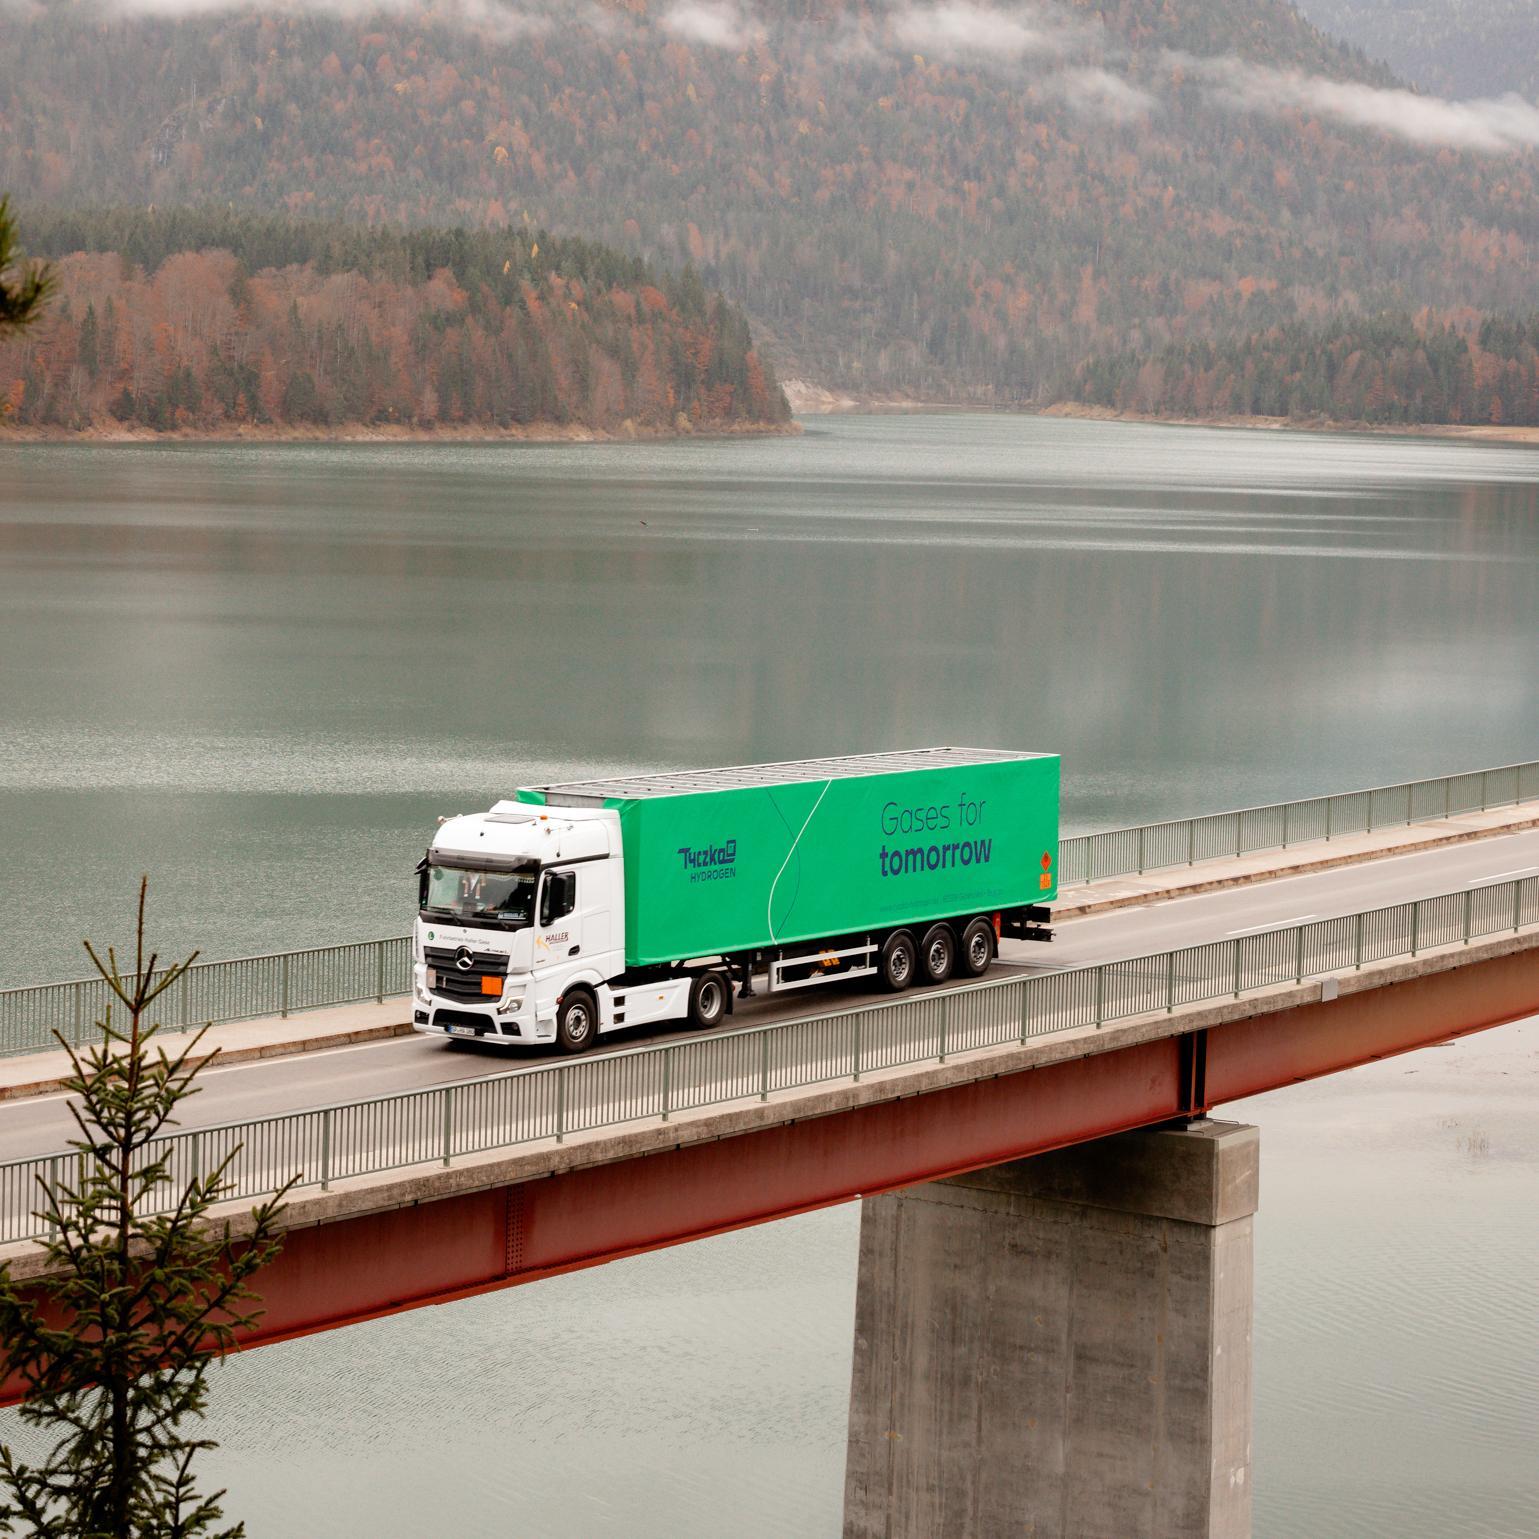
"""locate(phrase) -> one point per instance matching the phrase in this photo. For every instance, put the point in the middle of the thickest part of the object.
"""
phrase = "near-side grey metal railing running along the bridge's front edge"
(553, 1101)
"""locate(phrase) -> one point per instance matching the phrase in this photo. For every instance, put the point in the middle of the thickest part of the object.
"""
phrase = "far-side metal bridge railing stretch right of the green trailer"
(1221, 836)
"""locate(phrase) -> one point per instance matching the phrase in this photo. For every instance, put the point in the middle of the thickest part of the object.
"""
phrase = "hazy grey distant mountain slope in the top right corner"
(1460, 48)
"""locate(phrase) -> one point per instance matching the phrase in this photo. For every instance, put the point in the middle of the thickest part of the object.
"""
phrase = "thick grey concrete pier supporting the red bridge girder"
(1061, 1347)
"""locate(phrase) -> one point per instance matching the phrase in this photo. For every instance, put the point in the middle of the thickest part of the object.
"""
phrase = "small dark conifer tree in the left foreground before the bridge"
(144, 1290)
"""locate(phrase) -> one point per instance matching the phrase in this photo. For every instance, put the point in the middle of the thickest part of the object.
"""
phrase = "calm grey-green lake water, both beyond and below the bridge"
(262, 672)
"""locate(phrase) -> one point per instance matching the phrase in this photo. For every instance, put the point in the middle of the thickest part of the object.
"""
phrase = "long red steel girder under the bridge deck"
(366, 1267)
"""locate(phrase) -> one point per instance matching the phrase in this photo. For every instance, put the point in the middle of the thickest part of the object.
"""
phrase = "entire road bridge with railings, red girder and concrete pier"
(1053, 1321)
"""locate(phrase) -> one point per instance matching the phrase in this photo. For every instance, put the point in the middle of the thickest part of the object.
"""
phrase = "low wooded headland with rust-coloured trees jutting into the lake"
(229, 322)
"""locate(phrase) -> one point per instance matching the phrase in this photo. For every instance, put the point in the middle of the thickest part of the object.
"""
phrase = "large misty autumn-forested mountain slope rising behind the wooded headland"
(943, 199)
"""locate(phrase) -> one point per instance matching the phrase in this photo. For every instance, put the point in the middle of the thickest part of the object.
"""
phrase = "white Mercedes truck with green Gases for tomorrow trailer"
(578, 909)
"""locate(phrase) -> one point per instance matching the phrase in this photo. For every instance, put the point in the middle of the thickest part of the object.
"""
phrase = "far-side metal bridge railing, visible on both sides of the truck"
(290, 981)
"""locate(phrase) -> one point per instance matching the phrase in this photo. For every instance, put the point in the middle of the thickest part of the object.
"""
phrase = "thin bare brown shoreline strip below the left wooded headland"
(387, 433)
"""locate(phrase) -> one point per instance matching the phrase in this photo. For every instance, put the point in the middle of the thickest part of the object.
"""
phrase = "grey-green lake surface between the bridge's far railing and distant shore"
(195, 641)
